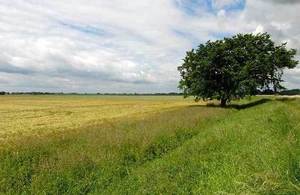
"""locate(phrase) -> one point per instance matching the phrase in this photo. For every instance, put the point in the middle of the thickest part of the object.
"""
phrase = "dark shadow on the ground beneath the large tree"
(237, 106)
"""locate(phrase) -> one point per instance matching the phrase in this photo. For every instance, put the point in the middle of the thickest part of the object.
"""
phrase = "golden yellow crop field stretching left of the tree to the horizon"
(37, 115)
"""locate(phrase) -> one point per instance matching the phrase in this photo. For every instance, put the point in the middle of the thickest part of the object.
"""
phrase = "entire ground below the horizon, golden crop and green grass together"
(148, 145)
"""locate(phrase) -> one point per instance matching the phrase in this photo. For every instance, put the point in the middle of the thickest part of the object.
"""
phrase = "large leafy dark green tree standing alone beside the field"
(235, 67)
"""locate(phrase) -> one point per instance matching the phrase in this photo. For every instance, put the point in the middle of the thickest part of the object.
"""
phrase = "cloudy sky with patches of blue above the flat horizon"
(126, 46)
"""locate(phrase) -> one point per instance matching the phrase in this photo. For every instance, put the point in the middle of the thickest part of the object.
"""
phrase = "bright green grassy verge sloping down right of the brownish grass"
(252, 151)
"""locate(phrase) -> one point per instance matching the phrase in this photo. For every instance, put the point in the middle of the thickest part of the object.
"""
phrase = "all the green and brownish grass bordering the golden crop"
(194, 150)
